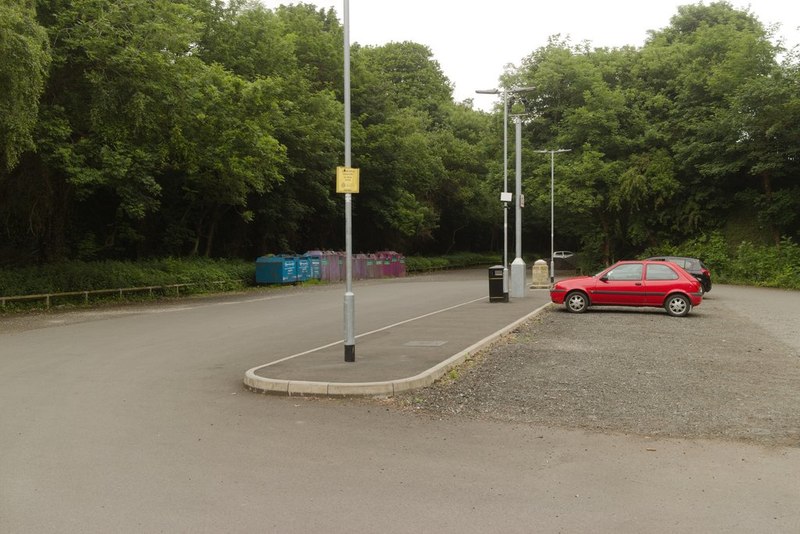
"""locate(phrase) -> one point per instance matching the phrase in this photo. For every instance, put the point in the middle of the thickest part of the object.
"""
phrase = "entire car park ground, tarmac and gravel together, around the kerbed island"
(135, 419)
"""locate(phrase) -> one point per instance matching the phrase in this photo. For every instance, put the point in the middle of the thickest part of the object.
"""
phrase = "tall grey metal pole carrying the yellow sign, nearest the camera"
(349, 297)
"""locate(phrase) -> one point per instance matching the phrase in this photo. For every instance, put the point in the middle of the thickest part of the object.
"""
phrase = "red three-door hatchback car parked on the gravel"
(632, 283)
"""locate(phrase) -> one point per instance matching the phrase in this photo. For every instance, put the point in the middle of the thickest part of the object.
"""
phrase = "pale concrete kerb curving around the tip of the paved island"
(260, 384)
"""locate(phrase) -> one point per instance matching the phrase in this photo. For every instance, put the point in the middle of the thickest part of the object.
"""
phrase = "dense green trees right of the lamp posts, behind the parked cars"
(668, 141)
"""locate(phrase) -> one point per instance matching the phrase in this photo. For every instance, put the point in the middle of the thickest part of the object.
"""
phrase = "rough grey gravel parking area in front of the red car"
(715, 374)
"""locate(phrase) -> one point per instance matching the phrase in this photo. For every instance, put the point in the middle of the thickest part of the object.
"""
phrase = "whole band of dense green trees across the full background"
(148, 128)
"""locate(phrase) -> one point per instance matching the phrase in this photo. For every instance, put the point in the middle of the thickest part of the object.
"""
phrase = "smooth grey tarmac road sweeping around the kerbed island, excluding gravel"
(135, 419)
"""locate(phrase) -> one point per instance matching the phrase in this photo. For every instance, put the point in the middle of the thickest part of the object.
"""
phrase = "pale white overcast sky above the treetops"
(474, 40)
